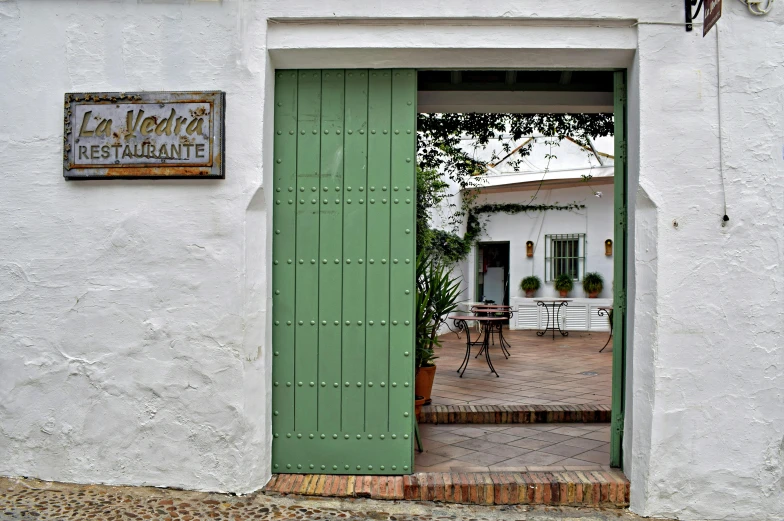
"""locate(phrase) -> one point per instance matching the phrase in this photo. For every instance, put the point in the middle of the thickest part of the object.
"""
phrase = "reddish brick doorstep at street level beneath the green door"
(572, 488)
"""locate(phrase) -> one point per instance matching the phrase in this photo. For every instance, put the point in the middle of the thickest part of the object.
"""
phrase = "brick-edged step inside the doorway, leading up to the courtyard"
(443, 414)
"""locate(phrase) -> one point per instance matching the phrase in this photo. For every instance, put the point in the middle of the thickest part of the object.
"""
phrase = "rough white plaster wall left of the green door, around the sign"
(132, 313)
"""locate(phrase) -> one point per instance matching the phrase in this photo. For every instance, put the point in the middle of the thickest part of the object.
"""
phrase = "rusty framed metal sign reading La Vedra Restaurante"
(112, 135)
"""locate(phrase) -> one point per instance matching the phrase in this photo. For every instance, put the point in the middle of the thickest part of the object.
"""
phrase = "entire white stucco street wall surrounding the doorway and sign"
(132, 313)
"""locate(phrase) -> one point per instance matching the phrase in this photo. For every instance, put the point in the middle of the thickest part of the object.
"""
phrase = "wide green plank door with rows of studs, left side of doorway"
(343, 271)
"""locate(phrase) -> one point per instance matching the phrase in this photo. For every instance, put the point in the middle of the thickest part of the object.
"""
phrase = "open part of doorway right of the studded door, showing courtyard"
(550, 203)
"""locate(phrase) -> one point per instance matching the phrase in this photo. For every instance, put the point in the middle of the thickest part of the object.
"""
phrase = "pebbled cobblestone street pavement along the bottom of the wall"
(29, 499)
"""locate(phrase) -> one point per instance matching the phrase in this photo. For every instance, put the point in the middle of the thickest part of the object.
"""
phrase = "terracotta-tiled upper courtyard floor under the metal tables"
(540, 371)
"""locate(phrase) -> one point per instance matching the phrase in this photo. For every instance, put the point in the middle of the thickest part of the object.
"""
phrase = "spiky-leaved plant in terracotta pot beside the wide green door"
(437, 292)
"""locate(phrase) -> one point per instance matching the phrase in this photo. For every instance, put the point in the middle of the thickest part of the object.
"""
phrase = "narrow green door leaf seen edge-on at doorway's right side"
(619, 272)
